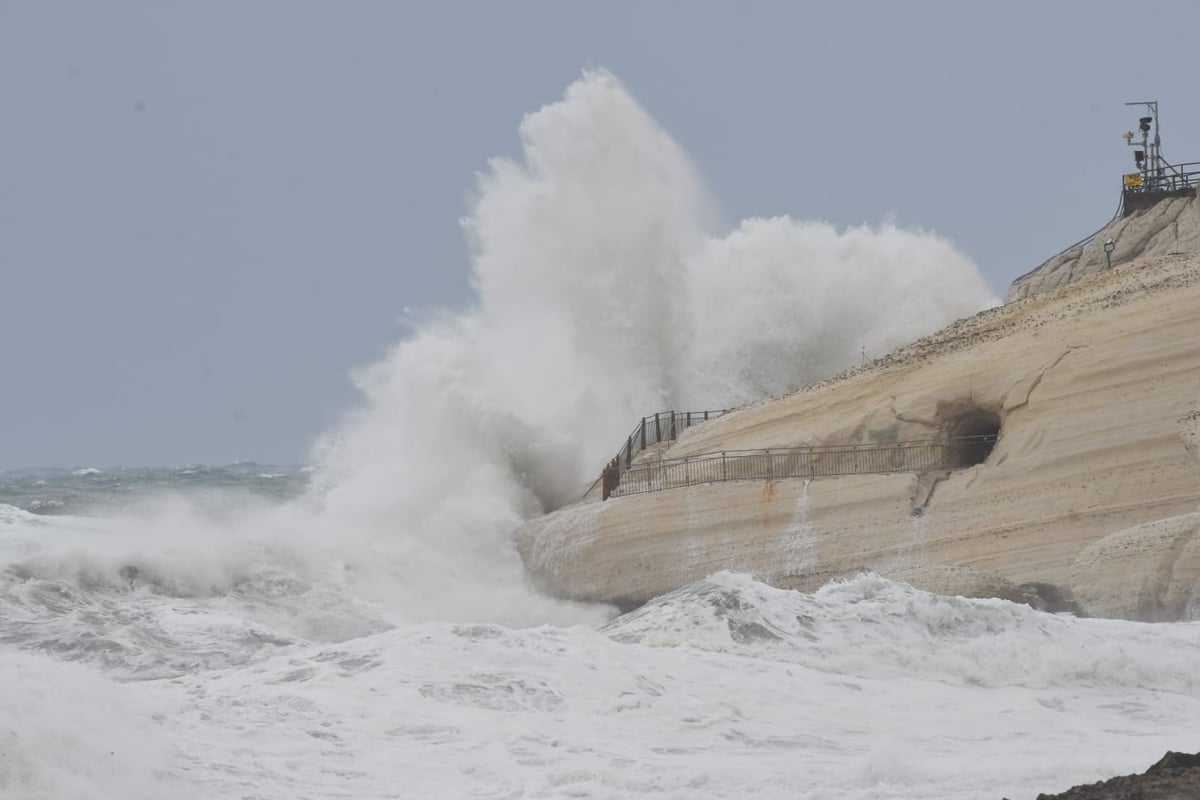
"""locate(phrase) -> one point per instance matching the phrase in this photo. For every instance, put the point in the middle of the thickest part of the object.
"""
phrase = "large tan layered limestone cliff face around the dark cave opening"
(1088, 384)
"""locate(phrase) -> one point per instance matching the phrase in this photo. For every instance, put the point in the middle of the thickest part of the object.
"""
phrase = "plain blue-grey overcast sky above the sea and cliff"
(212, 212)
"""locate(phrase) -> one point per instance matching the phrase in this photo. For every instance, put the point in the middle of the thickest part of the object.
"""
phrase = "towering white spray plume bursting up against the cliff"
(603, 294)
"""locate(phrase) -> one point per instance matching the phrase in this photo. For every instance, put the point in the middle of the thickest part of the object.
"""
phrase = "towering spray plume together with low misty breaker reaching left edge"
(604, 290)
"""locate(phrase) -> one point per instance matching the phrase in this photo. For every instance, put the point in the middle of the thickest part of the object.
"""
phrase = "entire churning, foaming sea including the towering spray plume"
(364, 629)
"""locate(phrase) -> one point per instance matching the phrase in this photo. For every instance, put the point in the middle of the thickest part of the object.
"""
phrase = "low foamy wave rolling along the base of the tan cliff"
(874, 628)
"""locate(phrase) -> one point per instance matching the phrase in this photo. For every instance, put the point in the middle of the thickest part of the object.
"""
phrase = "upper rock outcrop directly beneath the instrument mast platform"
(1171, 226)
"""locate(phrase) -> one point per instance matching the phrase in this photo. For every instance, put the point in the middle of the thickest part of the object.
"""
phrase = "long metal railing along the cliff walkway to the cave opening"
(799, 462)
